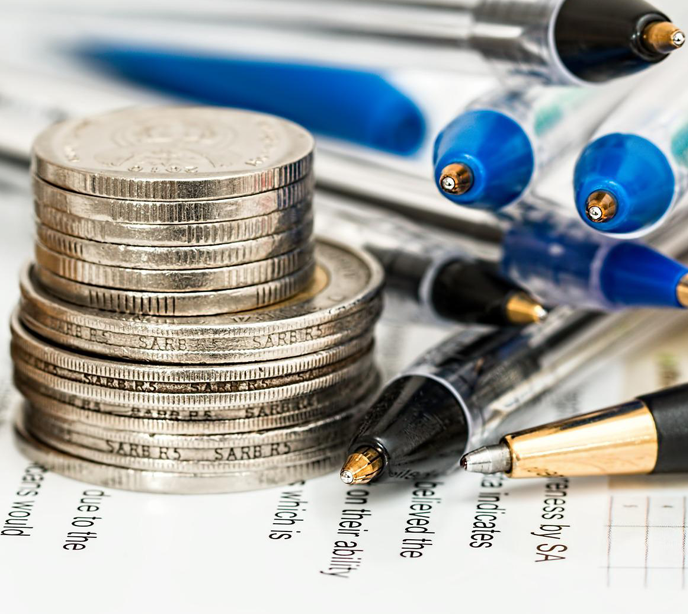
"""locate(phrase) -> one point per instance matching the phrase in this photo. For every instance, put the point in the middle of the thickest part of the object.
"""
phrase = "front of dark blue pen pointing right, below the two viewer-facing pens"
(564, 263)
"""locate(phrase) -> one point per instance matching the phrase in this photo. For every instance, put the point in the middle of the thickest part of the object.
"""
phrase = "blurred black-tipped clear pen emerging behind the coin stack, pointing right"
(436, 275)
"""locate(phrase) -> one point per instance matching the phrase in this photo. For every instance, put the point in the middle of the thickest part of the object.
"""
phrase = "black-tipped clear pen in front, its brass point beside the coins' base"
(457, 394)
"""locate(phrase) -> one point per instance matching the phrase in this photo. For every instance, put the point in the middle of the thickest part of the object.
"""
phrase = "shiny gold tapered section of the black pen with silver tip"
(617, 440)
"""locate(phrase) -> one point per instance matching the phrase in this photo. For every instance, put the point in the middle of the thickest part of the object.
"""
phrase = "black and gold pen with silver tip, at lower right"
(646, 435)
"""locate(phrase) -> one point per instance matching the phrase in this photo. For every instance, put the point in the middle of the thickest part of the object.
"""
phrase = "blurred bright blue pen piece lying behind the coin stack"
(353, 105)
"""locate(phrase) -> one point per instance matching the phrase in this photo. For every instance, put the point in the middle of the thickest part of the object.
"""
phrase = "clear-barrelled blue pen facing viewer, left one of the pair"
(488, 156)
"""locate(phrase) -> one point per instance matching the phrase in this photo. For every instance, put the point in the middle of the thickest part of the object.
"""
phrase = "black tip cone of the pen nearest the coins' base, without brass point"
(418, 425)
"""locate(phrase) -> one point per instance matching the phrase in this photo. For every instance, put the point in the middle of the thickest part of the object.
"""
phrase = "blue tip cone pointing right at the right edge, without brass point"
(635, 275)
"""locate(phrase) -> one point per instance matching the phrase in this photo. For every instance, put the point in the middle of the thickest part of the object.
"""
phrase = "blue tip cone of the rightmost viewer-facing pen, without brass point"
(635, 172)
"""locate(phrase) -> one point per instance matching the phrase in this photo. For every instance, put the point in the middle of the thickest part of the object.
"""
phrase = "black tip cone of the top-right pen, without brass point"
(602, 40)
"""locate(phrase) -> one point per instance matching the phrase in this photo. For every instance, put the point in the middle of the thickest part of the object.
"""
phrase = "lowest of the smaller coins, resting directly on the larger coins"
(177, 303)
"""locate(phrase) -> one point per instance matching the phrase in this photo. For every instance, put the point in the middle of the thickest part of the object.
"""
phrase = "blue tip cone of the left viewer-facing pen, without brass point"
(498, 153)
